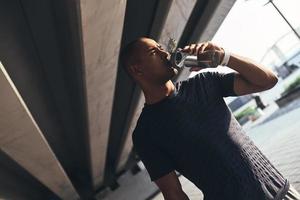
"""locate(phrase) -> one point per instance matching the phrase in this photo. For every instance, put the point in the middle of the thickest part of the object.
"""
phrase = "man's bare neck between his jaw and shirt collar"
(159, 92)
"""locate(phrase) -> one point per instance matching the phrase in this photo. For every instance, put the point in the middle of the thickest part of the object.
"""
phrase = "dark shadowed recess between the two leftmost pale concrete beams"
(35, 54)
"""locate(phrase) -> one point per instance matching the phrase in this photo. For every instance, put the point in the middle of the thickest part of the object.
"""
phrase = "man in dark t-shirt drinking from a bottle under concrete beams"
(187, 126)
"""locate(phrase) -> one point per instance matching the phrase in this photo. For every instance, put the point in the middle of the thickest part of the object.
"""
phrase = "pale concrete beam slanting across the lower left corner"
(23, 141)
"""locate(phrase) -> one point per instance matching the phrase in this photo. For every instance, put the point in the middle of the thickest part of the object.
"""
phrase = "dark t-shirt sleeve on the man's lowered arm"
(156, 161)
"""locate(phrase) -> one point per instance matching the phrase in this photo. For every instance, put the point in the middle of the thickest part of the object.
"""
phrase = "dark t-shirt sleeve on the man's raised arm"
(216, 83)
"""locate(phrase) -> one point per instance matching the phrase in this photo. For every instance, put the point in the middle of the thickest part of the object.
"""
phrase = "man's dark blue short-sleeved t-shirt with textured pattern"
(195, 133)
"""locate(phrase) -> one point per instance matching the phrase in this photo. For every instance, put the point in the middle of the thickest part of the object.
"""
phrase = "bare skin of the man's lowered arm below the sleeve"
(170, 187)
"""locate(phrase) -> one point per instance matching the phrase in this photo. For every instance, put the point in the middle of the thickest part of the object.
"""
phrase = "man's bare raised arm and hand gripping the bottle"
(250, 76)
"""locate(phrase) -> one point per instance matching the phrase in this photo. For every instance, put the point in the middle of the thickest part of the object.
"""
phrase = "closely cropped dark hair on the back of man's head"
(126, 54)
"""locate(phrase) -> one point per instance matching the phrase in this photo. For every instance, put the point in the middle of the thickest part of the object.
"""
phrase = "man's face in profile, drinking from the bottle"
(154, 63)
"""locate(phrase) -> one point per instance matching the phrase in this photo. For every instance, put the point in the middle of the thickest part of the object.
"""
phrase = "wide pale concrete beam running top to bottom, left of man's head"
(102, 23)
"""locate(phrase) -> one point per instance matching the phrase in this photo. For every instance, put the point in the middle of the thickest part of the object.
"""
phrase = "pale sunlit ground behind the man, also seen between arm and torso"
(278, 139)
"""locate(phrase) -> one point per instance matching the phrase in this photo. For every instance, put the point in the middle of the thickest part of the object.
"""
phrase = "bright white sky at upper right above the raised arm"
(251, 28)
